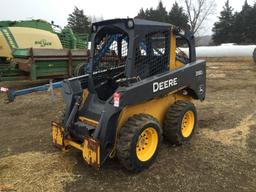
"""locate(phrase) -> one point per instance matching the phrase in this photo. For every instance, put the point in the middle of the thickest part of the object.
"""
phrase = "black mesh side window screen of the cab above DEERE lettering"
(152, 54)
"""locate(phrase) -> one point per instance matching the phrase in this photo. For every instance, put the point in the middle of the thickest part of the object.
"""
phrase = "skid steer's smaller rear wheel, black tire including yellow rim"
(180, 122)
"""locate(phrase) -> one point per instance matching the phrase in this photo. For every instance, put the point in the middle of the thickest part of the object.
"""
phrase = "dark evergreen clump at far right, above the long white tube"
(236, 27)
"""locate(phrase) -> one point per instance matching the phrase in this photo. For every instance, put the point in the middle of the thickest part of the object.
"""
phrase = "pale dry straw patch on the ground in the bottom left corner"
(35, 171)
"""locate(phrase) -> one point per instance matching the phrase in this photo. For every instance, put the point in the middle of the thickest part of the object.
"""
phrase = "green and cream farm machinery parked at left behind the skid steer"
(35, 50)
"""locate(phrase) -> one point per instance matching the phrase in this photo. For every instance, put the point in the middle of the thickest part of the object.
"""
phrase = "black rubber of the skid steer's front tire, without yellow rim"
(128, 137)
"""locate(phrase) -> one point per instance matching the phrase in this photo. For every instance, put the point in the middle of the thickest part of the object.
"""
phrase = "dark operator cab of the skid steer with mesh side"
(129, 50)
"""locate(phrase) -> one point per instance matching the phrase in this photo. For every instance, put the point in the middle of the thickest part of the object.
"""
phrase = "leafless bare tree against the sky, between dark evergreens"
(198, 12)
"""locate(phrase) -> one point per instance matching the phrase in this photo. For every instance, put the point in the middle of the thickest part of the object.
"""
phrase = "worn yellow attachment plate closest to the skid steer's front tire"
(91, 152)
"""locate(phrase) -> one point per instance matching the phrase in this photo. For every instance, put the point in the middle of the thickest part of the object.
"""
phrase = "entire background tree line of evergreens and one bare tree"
(231, 27)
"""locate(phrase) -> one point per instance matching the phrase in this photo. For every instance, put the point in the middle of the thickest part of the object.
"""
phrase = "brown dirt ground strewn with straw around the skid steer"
(220, 157)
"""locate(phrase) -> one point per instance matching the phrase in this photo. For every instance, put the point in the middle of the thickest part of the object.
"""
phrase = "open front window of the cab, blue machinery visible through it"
(110, 51)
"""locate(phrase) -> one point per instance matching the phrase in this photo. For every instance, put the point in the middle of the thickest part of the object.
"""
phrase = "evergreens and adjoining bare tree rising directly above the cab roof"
(192, 14)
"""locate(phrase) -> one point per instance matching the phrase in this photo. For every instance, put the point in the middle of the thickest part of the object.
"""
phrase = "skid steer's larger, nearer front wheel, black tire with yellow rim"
(139, 141)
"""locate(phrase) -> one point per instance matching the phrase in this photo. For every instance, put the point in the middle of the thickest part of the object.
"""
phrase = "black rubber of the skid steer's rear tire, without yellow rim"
(173, 122)
